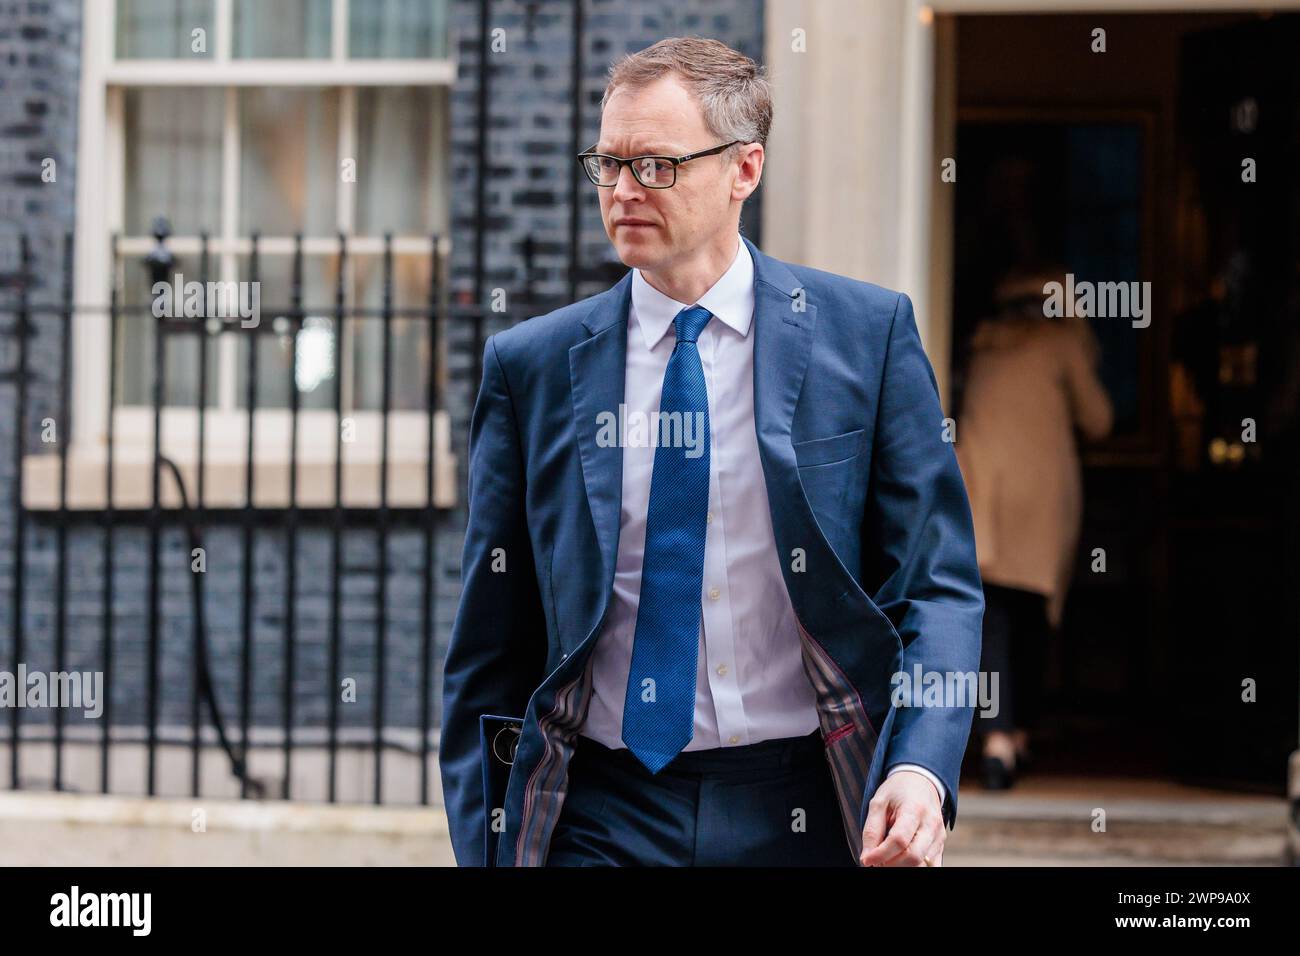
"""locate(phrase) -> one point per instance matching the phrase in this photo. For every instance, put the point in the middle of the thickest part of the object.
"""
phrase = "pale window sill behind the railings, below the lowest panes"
(226, 471)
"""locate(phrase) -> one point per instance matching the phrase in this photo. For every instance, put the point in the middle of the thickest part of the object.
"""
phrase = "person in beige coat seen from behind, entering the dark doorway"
(1032, 380)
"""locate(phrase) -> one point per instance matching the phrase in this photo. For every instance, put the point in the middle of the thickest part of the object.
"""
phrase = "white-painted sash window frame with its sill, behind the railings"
(101, 214)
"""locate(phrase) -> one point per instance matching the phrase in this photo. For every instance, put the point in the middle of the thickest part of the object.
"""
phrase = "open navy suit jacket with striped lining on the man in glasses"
(869, 509)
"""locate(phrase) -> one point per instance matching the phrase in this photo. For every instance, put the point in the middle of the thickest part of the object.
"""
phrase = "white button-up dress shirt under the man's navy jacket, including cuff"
(751, 685)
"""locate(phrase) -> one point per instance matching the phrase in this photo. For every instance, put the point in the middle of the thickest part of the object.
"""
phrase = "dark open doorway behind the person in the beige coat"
(1168, 158)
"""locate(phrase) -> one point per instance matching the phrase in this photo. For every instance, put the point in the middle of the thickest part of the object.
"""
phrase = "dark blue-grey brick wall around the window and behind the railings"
(528, 194)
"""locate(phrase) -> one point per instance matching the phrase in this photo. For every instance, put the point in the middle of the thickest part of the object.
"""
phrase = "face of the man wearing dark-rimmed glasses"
(664, 120)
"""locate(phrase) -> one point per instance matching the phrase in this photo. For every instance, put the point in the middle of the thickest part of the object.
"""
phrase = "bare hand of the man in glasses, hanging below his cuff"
(905, 824)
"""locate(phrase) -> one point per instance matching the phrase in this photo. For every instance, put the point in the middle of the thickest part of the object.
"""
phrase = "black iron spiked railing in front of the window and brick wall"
(196, 516)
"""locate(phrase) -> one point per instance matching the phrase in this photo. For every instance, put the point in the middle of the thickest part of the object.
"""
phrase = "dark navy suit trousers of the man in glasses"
(765, 804)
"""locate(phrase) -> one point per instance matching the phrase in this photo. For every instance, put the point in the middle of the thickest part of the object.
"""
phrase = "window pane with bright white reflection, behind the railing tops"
(317, 351)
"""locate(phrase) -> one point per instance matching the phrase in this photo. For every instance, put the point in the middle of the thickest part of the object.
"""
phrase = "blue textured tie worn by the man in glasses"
(660, 708)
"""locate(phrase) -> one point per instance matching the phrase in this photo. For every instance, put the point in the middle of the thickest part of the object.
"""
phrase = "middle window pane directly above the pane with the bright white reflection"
(288, 172)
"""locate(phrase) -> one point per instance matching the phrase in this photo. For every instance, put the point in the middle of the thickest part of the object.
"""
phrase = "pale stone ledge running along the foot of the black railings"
(275, 816)
